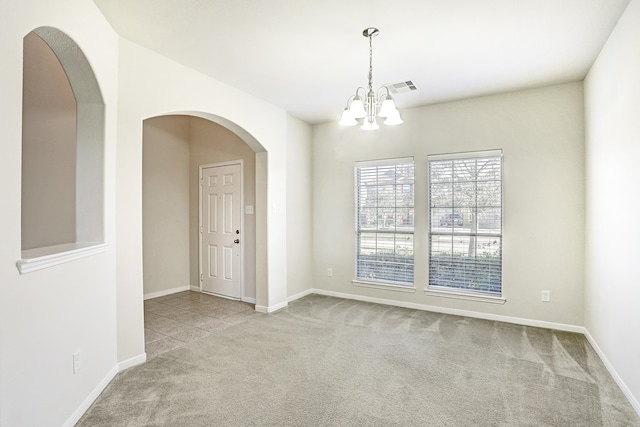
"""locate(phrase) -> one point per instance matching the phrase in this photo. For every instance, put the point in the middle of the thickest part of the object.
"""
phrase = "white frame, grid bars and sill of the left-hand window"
(384, 283)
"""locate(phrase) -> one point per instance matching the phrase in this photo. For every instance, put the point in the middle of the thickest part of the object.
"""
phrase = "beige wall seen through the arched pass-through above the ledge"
(48, 149)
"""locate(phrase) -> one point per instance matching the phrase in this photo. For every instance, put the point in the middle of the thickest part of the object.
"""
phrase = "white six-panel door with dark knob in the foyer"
(220, 257)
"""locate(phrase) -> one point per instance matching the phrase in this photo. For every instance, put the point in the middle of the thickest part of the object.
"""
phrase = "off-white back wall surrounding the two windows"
(541, 134)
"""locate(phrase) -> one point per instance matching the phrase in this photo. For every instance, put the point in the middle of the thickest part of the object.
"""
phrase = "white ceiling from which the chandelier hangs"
(308, 56)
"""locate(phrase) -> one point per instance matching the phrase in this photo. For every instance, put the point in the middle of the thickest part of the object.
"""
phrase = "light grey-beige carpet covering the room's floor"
(325, 361)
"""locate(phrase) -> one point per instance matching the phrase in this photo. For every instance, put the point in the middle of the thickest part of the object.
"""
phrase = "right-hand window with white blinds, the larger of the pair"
(465, 223)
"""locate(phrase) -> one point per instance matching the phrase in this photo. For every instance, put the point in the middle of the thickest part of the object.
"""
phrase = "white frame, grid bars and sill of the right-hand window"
(441, 290)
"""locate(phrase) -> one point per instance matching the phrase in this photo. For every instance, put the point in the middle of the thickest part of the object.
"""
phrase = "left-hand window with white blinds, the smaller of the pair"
(384, 221)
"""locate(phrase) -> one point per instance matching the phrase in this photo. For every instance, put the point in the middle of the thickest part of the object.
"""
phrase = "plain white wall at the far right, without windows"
(612, 98)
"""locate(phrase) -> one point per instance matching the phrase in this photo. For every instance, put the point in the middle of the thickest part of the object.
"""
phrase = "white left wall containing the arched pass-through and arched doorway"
(94, 305)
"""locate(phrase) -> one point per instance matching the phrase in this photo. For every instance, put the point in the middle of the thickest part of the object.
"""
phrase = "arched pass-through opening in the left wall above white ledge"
(63, 150)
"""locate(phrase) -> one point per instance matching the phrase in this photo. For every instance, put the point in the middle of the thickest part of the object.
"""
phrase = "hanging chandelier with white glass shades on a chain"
(365, 104)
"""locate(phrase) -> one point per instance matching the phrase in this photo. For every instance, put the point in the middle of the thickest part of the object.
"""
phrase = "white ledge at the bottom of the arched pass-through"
(41, 258)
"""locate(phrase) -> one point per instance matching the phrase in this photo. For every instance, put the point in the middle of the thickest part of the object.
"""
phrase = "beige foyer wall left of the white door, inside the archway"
(165, 204)
